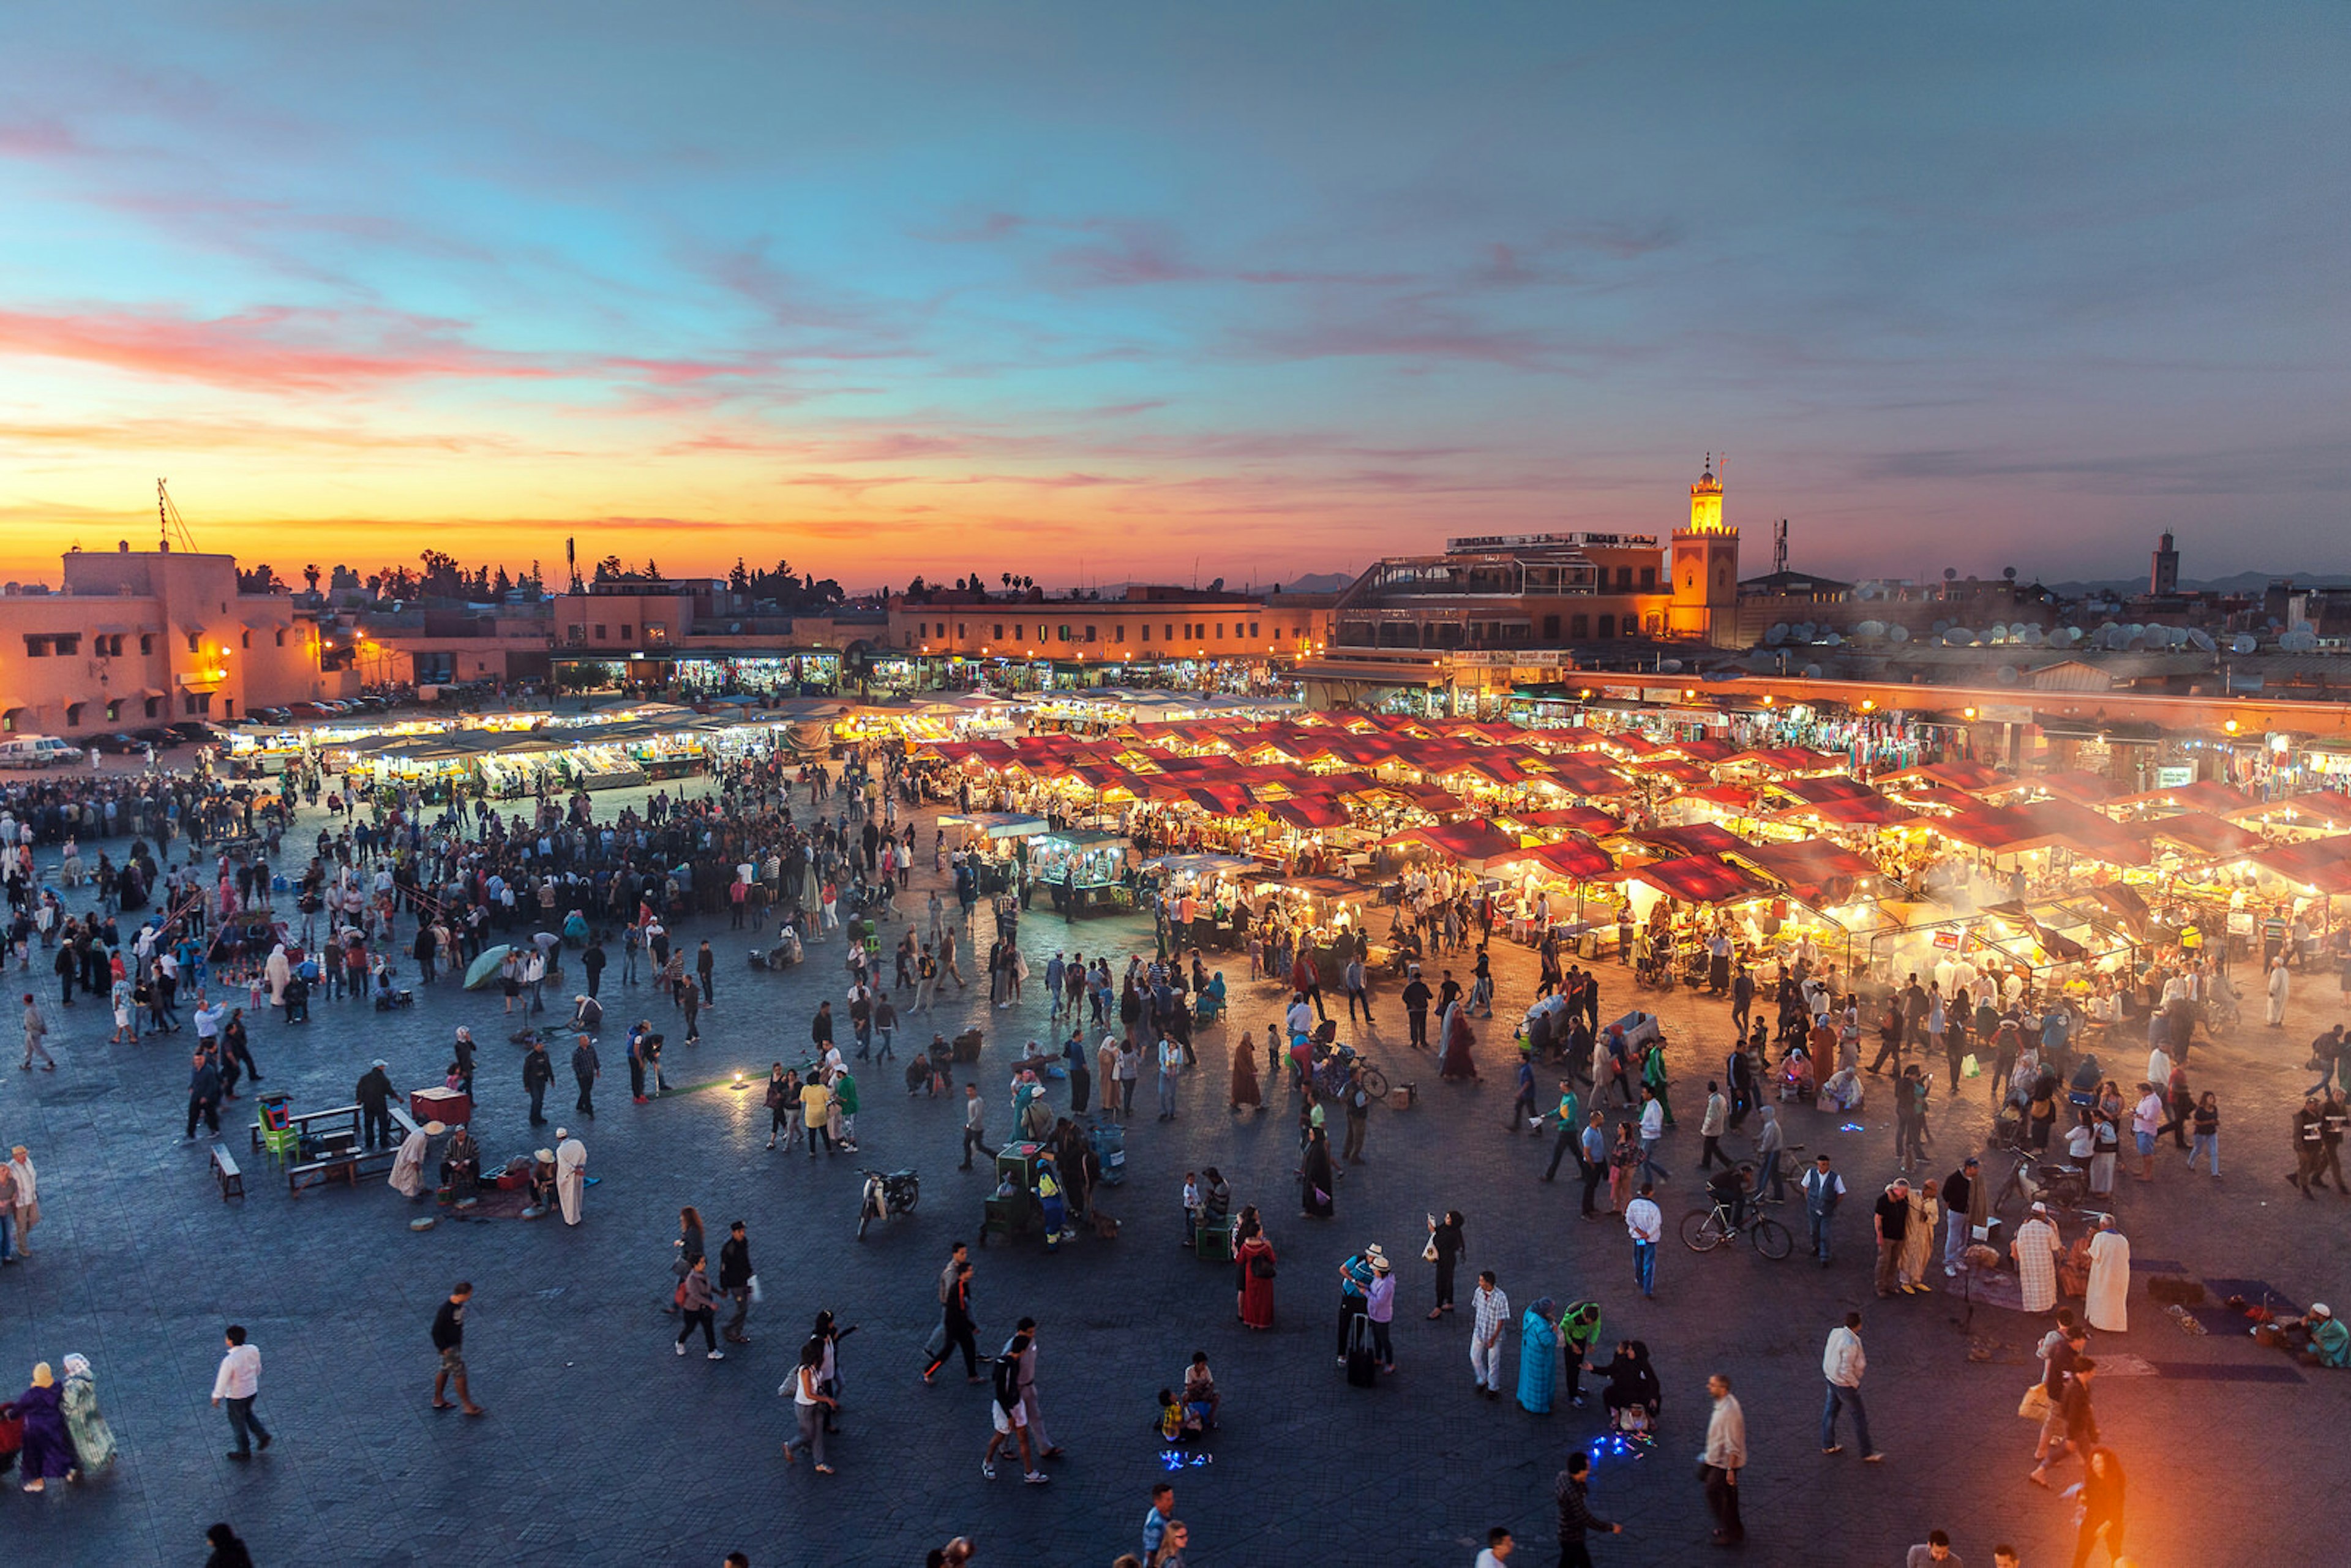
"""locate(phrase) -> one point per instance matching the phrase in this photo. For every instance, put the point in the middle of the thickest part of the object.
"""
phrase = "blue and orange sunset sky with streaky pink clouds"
(1097, 293)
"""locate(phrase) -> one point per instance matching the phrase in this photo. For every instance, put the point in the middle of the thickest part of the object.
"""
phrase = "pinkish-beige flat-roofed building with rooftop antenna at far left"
(149, 638)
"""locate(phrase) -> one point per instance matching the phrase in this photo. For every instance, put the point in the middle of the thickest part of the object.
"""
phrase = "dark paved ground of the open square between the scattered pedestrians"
(601, 1447)
